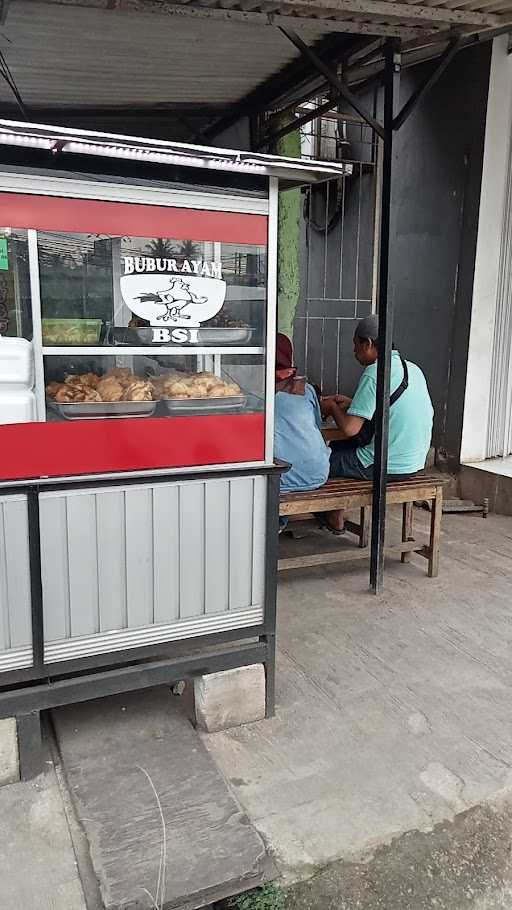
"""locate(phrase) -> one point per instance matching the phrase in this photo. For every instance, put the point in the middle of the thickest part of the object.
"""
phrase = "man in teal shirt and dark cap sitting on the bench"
(410, 416)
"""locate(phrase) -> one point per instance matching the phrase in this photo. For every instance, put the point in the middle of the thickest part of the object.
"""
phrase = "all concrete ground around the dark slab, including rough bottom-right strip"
(385, 780)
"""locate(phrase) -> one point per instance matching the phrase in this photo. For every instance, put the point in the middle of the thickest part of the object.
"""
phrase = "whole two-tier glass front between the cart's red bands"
(150, 327)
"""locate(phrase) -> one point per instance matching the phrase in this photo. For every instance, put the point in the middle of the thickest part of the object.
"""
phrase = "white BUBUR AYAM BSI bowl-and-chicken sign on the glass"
(173, 296)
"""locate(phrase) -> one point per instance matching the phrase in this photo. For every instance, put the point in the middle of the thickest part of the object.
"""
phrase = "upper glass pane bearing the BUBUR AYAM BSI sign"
(94, 288)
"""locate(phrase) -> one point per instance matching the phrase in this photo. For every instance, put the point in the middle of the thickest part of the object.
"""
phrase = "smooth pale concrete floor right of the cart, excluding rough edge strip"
(393, 713)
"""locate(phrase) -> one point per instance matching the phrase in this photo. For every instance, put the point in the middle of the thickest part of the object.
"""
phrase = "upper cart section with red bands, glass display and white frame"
(136, 312)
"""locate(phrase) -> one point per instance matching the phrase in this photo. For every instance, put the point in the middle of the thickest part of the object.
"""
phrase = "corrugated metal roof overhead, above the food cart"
(91, 54)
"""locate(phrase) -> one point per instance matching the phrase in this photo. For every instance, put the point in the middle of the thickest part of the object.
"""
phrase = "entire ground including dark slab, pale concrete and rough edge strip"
(383, 783)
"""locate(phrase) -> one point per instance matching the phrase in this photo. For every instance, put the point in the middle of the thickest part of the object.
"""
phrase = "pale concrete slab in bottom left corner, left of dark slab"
(37, 862)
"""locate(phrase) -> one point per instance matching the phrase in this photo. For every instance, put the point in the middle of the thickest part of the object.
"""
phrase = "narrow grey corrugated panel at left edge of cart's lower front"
(15, 601)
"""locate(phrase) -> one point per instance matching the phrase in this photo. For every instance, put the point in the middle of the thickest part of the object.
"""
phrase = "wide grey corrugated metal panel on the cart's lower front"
(138, 556)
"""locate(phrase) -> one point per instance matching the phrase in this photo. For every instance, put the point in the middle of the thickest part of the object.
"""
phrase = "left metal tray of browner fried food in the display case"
(117, 393)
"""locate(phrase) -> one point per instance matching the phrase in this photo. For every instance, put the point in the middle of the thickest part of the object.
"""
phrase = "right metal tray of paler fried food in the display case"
(200, 392)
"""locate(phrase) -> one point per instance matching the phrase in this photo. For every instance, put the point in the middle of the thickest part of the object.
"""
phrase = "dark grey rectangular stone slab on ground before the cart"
(119, 754)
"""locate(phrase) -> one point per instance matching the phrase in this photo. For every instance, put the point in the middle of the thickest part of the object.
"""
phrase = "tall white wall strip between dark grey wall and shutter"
(492, 199)
